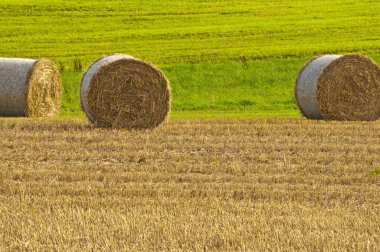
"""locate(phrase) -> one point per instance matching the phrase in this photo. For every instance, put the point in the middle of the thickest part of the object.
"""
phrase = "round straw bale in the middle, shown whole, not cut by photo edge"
(120, 91)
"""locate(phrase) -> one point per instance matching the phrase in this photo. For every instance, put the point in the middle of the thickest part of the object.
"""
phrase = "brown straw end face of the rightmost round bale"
(349, 89)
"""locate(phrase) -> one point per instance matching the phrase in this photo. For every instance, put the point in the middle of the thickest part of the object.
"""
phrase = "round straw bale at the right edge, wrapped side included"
(336, 87)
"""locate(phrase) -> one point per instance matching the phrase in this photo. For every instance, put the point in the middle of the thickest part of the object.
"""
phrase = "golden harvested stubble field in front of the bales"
(199, 184)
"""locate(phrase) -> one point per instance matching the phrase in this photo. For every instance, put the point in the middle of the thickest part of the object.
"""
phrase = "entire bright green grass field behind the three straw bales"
(221, 57)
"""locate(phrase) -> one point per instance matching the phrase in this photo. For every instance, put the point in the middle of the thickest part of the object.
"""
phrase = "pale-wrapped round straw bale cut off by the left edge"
(29, 87)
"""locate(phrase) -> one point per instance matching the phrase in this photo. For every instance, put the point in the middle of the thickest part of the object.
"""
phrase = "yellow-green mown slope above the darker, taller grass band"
(172, 32)
